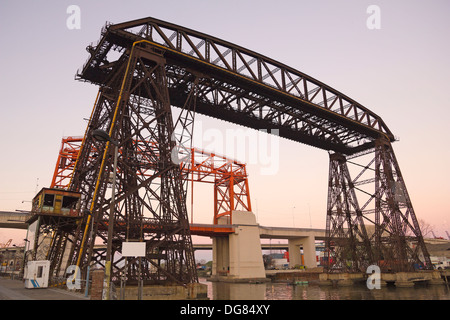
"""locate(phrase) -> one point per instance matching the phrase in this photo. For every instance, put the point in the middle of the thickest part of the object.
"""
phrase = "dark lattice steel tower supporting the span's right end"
(384, 231)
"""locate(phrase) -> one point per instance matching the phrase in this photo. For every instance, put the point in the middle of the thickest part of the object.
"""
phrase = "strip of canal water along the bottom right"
(284, 291)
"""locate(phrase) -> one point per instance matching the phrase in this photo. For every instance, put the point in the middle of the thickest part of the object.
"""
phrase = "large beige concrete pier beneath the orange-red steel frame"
(238, 256)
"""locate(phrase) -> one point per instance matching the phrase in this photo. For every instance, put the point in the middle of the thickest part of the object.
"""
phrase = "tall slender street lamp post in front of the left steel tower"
(101, 135)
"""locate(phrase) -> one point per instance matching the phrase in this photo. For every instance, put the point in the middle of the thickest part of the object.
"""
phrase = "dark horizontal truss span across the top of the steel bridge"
(241, 86)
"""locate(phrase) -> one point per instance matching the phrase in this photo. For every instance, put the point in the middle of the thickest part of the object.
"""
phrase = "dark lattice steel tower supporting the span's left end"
(150, 207)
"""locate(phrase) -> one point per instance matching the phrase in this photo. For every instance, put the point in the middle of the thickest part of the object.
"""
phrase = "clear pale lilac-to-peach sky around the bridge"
(401, 71)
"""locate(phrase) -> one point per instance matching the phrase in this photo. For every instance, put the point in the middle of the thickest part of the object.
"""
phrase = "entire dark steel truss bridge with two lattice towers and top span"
(146, 66)
